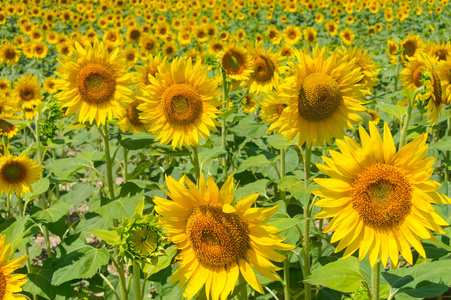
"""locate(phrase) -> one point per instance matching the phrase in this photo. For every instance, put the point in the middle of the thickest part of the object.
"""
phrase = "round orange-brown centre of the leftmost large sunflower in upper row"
(96, 83)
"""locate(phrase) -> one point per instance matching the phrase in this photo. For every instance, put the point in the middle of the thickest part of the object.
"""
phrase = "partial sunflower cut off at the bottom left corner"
(10, 283)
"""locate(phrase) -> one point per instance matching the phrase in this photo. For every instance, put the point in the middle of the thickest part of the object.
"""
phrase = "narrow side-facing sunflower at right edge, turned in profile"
(432, 91)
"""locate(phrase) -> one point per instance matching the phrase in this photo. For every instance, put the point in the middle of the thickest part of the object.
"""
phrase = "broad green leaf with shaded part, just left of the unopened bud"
(79, 264)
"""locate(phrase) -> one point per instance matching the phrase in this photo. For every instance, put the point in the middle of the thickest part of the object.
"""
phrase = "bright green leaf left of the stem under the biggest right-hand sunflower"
(343, 275)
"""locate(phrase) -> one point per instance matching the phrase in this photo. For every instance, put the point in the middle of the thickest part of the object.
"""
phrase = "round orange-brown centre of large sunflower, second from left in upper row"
(182, 104)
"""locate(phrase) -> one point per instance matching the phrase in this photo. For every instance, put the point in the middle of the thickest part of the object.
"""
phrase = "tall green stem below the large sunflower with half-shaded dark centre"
(307, 286)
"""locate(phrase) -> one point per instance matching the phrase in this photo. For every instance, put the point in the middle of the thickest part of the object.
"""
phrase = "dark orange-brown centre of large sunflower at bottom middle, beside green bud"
(218, 238)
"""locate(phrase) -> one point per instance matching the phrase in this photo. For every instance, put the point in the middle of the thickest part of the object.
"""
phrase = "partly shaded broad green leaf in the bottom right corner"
(427, 280)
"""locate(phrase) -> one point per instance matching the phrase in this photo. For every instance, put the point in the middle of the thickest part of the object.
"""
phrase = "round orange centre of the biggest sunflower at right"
(382, 195)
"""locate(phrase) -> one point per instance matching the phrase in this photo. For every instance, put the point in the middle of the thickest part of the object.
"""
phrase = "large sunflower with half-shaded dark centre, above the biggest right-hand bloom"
(323, 97)
